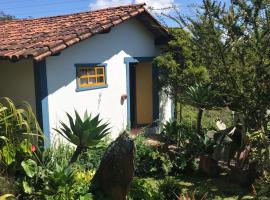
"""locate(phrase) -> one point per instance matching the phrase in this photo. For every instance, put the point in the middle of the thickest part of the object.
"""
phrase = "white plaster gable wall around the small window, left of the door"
(130, 39)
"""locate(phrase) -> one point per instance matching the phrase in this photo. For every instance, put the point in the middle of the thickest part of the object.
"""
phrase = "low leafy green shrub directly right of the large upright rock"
(149, 161)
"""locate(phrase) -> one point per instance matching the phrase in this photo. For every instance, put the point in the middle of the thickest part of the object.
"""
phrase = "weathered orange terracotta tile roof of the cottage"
(42, 37)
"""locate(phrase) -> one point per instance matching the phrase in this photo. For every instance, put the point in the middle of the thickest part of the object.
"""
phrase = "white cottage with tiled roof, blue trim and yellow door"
(100, 61)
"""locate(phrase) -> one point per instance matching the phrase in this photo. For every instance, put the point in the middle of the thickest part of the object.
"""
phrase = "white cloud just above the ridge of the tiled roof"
(155, 4)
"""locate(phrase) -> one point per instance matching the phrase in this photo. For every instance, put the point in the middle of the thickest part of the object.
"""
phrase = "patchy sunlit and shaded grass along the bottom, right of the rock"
(213, 188)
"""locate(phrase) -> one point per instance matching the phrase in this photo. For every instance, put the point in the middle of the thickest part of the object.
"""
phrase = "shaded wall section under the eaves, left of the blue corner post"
(17, 82)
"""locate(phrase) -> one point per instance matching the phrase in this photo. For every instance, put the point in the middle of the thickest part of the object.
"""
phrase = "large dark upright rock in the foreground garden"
(116, 169)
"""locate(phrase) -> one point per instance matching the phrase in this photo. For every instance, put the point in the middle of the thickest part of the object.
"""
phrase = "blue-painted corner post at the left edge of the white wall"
(42, 105)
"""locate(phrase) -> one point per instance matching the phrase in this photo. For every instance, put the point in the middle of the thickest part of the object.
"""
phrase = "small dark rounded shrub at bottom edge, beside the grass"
(169, 188)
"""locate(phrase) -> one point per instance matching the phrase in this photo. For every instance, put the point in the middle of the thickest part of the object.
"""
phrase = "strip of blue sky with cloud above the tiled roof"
(40, 8)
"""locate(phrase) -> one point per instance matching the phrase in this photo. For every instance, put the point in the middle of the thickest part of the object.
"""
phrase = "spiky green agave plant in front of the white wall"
(84, 133)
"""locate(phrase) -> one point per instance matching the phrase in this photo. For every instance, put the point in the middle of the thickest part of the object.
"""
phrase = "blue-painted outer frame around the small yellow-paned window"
(78, 65)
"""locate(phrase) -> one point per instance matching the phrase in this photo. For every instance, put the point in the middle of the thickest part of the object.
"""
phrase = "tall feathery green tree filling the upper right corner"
(231, 42)
